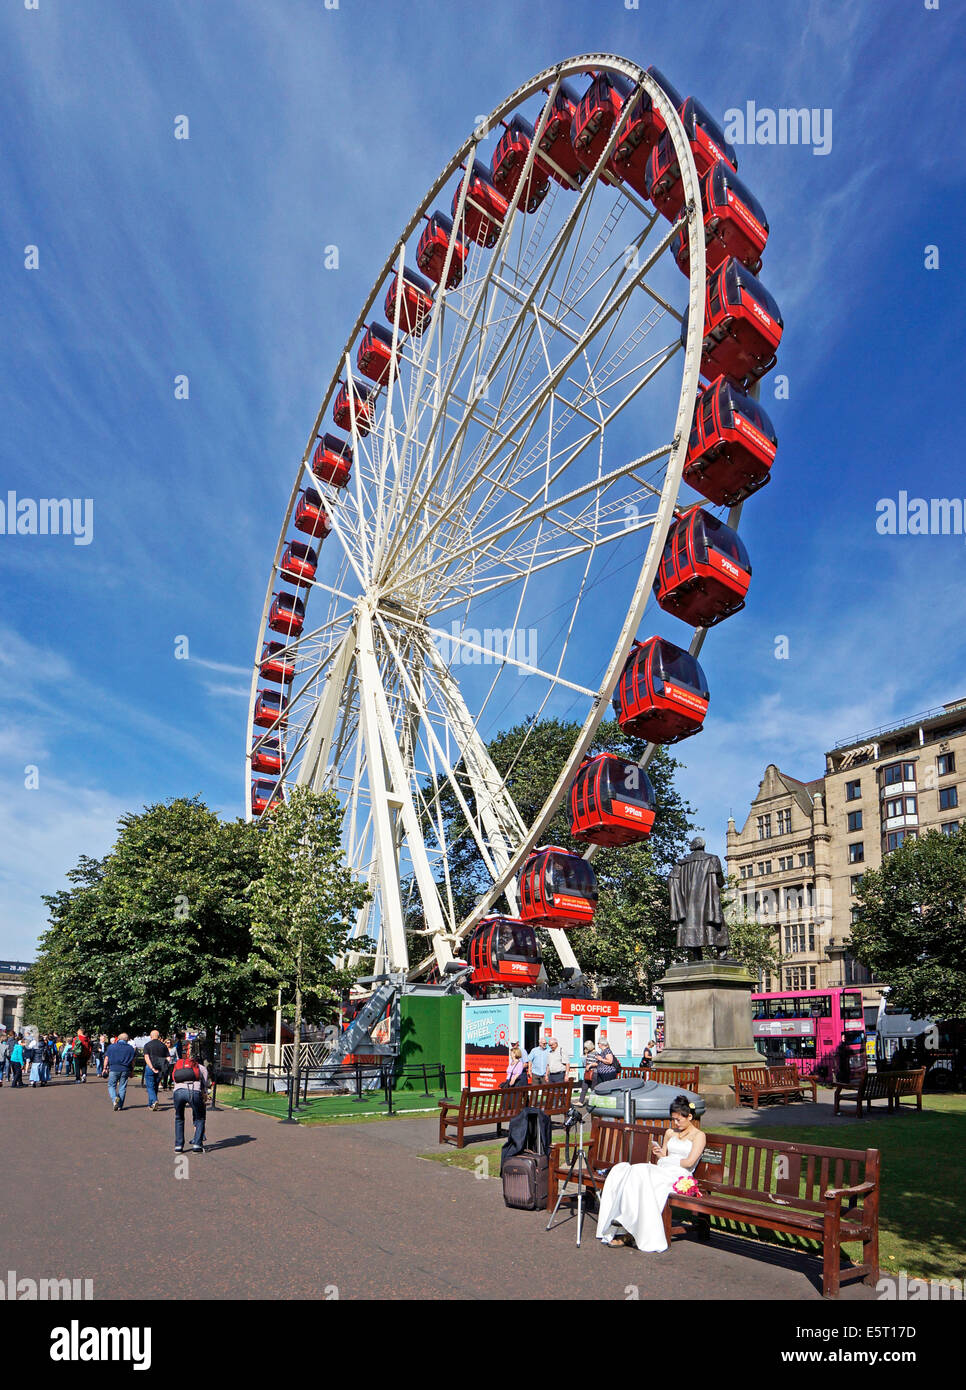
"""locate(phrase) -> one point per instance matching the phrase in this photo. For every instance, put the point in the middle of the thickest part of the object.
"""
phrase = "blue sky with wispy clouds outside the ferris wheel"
(312, 127)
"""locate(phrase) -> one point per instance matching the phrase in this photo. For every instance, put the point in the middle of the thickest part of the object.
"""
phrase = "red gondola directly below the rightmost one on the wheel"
(732, 447)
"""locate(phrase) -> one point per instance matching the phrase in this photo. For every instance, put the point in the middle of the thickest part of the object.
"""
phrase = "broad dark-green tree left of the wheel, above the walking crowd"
(159, 933)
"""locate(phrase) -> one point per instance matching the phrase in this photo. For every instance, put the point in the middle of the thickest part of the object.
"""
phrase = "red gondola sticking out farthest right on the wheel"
(743, 326)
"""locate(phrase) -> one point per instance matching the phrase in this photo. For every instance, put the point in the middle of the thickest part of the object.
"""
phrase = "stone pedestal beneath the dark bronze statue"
(708, 1022)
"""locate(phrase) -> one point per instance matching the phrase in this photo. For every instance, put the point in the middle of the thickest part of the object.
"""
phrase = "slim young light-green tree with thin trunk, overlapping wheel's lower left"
(305, 903)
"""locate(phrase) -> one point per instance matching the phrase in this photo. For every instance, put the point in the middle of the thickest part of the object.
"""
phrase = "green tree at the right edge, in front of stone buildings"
(911, 928)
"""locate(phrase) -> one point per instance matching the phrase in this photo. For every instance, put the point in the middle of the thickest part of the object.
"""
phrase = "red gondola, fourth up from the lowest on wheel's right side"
(662, 694)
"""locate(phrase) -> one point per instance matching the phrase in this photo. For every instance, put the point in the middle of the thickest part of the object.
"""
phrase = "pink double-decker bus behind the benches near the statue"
(805, 1029)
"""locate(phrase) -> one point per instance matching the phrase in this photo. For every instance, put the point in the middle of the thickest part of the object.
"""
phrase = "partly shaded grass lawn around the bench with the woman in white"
(922, 1223)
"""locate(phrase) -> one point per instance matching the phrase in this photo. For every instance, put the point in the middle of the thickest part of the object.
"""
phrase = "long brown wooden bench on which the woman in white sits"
(825, 1195)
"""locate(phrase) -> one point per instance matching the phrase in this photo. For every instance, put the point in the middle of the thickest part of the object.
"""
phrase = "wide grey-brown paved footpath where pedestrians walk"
(279, 1211)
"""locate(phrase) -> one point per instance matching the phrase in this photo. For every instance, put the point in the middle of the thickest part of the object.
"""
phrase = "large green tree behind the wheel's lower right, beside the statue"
(632, 940)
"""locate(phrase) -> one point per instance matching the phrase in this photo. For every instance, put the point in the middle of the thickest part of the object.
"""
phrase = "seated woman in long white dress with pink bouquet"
(635, 1195)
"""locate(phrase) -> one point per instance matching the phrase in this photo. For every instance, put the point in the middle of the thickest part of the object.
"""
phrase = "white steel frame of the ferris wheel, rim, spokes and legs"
(394, 811)
